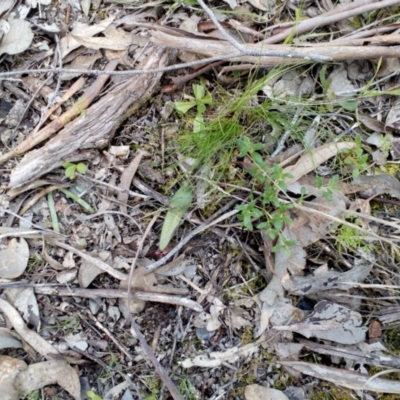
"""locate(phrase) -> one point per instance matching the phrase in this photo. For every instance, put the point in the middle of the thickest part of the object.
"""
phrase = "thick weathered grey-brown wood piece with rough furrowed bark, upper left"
(96, 127)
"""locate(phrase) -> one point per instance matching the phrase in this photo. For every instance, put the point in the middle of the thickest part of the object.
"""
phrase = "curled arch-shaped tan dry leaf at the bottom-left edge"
(46, 373)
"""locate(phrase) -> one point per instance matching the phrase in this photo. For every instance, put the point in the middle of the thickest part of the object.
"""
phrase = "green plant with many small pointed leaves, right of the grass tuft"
(268, 206)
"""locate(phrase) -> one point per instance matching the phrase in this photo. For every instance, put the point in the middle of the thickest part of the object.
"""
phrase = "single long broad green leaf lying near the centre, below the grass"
(179, 204)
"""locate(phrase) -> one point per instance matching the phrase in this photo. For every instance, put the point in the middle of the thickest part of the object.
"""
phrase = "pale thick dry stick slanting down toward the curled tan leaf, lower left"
(30, 337)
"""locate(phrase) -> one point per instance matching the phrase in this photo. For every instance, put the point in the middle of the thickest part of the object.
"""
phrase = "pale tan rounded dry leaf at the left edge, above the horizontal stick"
(14, 259)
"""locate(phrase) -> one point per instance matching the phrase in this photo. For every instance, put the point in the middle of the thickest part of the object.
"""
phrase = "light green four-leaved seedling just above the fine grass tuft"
(200, 100)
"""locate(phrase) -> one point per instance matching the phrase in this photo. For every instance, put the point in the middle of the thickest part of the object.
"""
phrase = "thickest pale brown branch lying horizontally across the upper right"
(213, 47)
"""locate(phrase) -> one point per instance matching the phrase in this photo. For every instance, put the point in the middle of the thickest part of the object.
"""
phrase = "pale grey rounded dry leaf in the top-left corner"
(18, 38)
